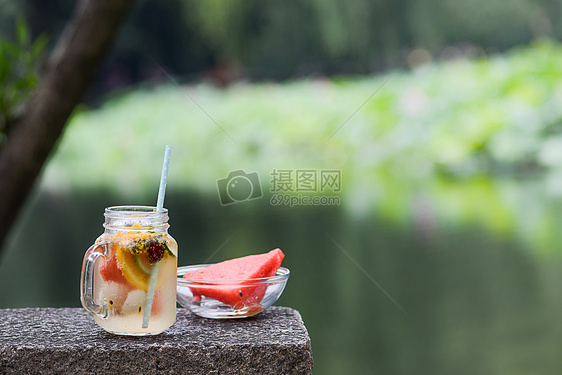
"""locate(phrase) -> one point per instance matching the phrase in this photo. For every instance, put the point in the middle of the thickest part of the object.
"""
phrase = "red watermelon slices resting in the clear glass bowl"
(244, 268)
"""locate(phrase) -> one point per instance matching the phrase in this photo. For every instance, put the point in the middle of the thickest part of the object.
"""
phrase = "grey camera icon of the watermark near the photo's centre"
(239, 186)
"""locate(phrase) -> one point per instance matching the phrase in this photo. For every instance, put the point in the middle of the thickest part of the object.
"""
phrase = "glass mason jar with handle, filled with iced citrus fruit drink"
(129, 275)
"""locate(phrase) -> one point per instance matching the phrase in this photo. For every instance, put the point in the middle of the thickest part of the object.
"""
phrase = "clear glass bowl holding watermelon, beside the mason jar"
(223, 299)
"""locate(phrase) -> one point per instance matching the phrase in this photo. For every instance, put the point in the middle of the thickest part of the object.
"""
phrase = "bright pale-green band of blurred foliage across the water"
(458, 118)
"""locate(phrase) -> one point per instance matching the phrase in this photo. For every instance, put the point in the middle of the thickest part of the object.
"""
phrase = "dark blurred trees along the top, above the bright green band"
(280, 40)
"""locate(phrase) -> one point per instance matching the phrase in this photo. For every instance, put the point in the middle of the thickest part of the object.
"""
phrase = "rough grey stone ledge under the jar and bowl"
(67, 340)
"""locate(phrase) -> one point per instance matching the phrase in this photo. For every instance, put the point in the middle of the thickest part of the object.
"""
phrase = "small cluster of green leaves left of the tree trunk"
(18, 72)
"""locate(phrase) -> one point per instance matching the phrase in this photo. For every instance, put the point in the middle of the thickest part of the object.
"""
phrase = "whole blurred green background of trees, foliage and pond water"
(443, 116)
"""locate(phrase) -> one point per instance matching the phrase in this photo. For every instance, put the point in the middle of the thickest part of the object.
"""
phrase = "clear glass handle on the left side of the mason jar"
(87, 279)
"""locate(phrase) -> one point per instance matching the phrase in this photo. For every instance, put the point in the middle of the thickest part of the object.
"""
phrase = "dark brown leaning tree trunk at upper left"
(69, 71)
